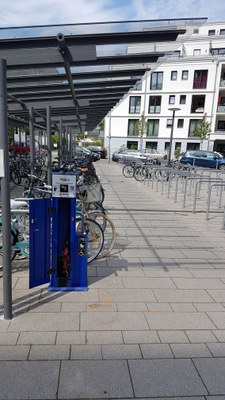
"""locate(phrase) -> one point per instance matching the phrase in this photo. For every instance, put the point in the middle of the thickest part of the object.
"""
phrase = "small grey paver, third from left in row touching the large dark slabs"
(86, 352)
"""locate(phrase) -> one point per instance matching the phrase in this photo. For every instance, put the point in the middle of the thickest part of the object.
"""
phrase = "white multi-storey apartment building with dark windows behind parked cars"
(191, 79)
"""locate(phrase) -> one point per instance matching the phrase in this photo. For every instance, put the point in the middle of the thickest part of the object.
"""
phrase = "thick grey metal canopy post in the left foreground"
(5, 193)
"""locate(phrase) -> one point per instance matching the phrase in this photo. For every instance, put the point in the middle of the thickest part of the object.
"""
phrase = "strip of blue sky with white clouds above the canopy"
(41, 12)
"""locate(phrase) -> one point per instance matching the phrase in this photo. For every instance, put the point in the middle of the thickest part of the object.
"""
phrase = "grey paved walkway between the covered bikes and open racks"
(151, 325)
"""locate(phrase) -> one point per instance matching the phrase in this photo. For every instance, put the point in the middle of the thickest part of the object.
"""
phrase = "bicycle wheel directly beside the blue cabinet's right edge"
(95, 237)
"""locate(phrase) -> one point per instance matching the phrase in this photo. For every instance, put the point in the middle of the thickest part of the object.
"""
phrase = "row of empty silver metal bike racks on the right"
(190, 181)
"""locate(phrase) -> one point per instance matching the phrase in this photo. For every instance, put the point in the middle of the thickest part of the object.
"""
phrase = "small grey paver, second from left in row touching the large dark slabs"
(49, 352)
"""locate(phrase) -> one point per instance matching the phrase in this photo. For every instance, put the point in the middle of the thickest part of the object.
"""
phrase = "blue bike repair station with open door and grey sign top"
(58, 252)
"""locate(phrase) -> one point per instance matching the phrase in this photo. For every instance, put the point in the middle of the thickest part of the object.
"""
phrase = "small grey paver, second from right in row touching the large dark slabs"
(190, 350)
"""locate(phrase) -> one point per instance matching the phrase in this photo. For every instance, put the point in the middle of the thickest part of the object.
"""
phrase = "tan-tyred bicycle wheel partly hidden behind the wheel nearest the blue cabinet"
(109, 231)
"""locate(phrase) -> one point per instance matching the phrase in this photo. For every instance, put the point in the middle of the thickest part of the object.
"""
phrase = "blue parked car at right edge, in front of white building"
(202, 158)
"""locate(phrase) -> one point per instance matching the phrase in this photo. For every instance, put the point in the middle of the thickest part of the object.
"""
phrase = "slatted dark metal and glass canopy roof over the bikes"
(80, 70)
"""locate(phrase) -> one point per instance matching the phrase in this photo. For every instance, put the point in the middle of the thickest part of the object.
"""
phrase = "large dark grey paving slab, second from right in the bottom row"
(158, 378)
